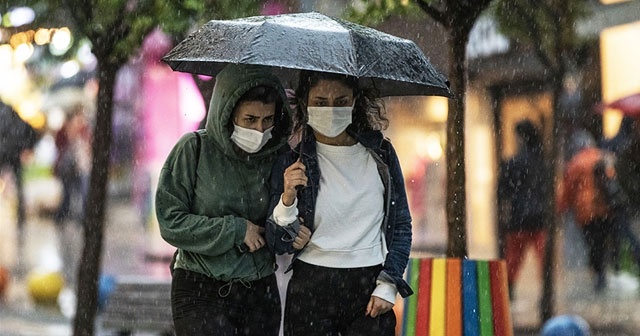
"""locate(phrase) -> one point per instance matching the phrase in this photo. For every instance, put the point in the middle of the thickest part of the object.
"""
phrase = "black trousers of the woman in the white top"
(326, 301)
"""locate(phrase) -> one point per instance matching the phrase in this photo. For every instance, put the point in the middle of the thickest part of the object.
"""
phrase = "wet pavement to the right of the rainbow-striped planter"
(611, 312)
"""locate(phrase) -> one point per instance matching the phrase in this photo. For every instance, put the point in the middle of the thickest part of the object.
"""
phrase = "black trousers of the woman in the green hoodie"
(204, 306)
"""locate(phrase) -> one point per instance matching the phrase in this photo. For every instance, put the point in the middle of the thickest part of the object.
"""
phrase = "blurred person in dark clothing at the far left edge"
(16, 137)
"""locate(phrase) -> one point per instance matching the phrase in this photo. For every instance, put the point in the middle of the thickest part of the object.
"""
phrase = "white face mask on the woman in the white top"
(329, 121)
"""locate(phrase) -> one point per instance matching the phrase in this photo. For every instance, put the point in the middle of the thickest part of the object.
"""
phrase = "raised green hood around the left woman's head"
(233, 82)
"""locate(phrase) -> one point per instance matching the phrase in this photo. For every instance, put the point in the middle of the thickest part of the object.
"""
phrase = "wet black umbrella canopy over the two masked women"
(311, 41)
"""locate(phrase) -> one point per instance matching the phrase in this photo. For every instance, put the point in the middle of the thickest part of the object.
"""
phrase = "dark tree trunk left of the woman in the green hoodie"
(93, 221)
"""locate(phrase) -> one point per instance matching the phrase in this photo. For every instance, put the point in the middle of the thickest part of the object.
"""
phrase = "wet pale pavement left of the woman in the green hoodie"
(127, 244)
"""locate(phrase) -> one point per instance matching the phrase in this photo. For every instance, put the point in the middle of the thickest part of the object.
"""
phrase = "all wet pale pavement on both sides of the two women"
(131, 248)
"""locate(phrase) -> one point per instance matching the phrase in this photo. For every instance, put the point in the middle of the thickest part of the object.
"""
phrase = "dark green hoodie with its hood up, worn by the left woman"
(208, 223)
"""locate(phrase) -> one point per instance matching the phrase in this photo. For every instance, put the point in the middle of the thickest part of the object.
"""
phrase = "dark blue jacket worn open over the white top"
(397, 219)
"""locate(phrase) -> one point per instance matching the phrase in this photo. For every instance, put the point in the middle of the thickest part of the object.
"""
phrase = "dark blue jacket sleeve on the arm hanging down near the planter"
(400, 244)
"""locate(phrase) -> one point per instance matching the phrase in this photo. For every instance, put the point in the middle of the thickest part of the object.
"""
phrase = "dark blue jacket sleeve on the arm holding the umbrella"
(279, 238)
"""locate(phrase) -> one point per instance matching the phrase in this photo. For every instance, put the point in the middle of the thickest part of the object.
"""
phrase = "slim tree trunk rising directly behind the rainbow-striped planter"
(456, 180)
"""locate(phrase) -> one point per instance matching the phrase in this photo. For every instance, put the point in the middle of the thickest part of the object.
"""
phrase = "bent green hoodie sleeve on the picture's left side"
(179, 225)
